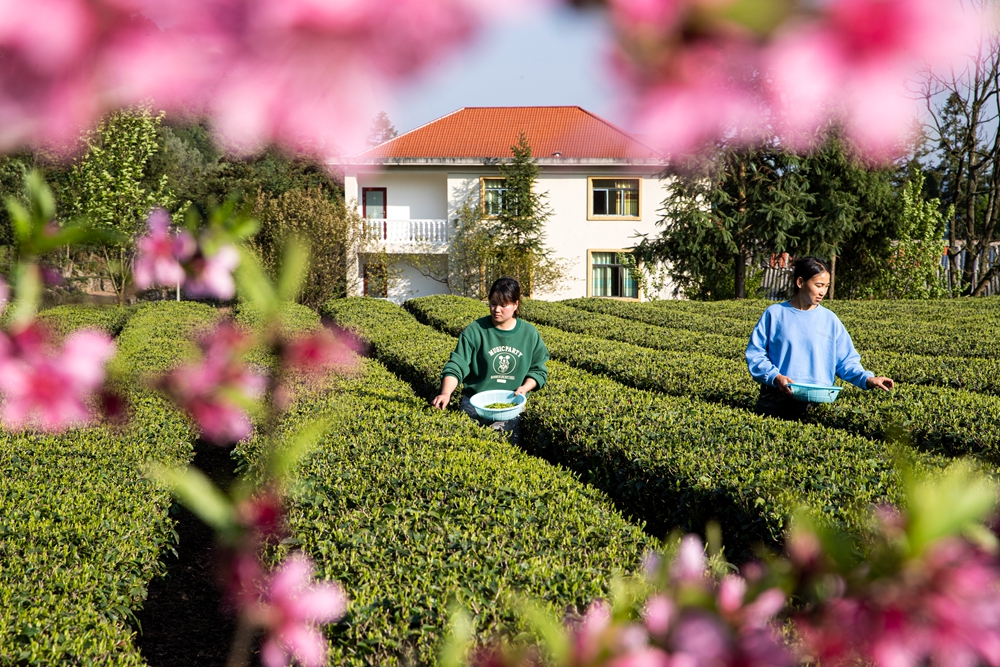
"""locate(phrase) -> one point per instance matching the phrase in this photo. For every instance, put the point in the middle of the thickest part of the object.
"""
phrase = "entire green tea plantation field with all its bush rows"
(645, 426)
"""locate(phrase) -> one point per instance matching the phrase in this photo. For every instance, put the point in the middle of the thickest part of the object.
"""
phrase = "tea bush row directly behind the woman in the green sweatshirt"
(670, 461)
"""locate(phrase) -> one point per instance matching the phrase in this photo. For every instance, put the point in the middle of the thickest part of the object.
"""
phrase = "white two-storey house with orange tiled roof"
(602, 185)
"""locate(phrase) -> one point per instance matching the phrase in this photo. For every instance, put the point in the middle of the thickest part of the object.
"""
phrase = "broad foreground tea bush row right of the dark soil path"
(410, 508)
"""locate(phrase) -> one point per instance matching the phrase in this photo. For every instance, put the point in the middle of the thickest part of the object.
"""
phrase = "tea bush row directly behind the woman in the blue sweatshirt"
(951, 422)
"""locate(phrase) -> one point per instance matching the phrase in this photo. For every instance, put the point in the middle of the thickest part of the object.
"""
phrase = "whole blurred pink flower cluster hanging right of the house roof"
(697, 74)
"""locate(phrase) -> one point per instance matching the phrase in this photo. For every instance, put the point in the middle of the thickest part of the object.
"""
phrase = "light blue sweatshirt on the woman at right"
(809, 346)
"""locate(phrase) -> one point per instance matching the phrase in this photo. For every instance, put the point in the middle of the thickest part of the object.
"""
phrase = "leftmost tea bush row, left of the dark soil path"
(81, 530)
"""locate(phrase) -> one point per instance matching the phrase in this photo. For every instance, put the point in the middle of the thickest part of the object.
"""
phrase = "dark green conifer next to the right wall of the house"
(724, 211)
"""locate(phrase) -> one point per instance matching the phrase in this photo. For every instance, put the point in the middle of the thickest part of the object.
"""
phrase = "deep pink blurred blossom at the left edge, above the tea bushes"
(46, 387)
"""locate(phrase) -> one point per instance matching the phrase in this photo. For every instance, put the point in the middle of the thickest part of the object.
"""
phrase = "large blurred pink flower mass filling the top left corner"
(299, 72)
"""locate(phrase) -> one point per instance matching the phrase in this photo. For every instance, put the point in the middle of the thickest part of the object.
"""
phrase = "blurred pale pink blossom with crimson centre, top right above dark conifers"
(853, 63)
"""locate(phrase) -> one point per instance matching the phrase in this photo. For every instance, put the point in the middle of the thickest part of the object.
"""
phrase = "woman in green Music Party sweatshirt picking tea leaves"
(499, 351)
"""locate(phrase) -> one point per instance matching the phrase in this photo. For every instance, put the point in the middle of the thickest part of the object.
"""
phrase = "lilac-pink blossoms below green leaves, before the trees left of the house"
(165, 259)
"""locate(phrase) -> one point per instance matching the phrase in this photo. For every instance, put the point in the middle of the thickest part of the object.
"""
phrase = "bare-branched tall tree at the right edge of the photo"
(963, 106)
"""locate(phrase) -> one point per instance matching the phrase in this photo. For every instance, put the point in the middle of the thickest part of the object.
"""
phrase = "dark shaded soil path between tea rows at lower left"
(182, 620)
